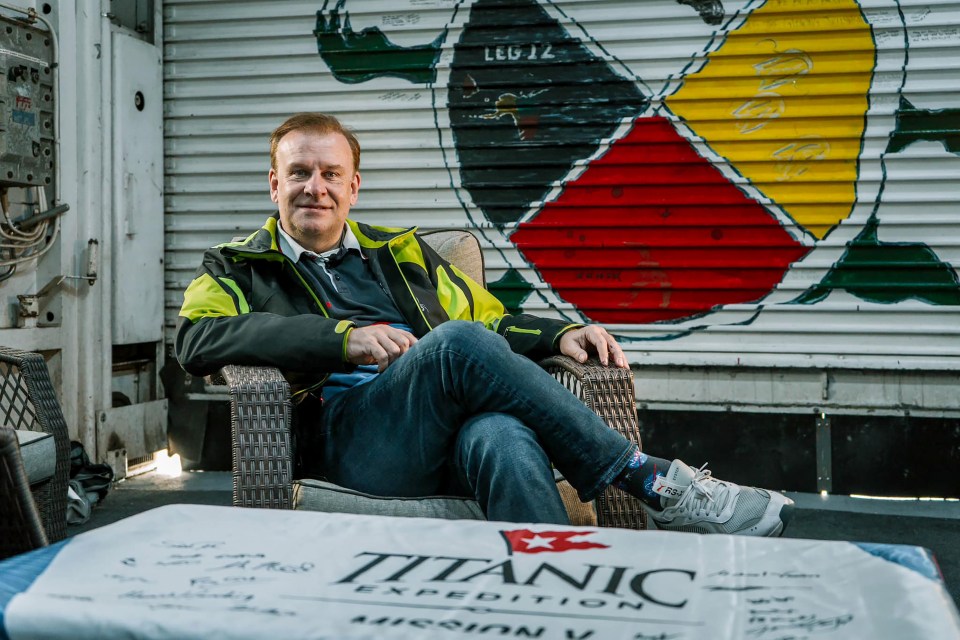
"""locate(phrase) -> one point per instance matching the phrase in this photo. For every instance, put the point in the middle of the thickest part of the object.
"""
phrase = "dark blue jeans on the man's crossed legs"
(461, 413)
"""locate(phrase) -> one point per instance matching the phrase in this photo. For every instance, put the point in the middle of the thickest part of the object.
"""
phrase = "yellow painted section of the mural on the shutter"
(792, 82)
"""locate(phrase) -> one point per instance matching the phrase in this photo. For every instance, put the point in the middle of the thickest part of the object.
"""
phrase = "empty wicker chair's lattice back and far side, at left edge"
(28, 401)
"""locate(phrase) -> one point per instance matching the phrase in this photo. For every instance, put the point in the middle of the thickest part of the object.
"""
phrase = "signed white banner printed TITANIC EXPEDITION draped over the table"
(206, 572)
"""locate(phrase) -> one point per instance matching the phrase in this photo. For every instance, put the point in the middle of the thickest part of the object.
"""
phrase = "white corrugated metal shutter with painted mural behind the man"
(721, 183)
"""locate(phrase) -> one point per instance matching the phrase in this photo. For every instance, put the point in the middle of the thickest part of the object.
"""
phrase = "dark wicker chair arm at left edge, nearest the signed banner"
(20, 526)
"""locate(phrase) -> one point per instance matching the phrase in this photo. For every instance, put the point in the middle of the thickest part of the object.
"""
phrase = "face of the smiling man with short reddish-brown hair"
(314, 186)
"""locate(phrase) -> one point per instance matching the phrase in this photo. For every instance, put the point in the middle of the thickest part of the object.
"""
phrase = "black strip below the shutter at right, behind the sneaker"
(899, 456)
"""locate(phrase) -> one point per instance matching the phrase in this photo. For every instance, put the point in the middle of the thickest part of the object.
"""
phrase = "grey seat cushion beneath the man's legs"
(317, 495)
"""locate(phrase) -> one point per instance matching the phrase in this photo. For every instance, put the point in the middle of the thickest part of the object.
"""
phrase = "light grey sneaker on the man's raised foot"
(694, 501)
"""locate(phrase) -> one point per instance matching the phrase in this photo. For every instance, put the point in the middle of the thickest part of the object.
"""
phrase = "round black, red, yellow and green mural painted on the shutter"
(741, 164)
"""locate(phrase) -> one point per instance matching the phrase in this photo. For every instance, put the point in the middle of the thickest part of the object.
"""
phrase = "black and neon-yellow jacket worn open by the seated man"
(249, 305)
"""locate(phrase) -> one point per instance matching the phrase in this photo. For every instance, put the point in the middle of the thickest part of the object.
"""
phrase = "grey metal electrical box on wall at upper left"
(26, 105)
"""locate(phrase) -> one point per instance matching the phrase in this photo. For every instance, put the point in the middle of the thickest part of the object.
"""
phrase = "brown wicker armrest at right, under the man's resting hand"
(610, 393)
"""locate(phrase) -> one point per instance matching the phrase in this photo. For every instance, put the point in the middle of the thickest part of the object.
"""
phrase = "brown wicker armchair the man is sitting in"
(260, 410)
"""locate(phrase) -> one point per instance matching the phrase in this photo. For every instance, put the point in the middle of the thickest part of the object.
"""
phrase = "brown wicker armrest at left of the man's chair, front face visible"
(260, 420)
